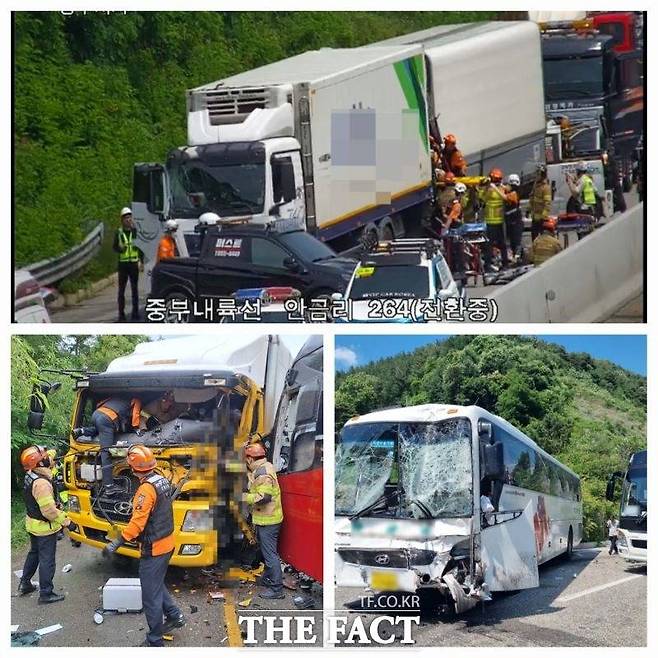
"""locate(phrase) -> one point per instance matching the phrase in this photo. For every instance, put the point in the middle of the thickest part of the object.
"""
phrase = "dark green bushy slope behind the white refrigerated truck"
(96, 92)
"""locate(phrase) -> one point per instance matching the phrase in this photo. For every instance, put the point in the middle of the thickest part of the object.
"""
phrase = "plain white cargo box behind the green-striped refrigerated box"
(486, 87)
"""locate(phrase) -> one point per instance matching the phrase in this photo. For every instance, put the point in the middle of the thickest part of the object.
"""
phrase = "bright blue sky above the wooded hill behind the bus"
(629, 352)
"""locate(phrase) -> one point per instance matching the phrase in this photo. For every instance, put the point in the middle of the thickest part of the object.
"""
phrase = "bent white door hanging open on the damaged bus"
(508, 549)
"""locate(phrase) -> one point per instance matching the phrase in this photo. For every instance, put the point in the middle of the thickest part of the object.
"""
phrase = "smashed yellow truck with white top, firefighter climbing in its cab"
(224, 392)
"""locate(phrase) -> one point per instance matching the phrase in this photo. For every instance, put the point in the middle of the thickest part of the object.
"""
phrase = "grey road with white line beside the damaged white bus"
(591, 600)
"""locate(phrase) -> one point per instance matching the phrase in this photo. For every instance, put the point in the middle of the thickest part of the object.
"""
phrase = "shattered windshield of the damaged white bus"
(427, 466)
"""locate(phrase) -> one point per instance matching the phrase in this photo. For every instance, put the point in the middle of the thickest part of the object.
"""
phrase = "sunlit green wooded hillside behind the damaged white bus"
(590, 414)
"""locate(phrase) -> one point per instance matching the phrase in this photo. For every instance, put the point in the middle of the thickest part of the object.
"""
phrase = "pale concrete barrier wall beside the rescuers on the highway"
(587, 282)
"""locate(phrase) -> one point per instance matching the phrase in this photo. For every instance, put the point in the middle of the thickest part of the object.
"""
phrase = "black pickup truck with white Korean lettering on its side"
(252, 256)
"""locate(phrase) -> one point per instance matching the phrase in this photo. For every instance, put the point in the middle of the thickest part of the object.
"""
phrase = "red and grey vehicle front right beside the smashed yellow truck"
(296, 444)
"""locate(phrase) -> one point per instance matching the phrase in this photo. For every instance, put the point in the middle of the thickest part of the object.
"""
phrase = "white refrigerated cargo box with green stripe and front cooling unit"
(359, 115)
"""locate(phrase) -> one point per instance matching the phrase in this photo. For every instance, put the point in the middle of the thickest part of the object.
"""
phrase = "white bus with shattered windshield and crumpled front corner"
(408, 506)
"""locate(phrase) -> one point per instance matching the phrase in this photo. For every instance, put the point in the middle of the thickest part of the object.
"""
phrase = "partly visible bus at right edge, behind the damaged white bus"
(632, 531)
